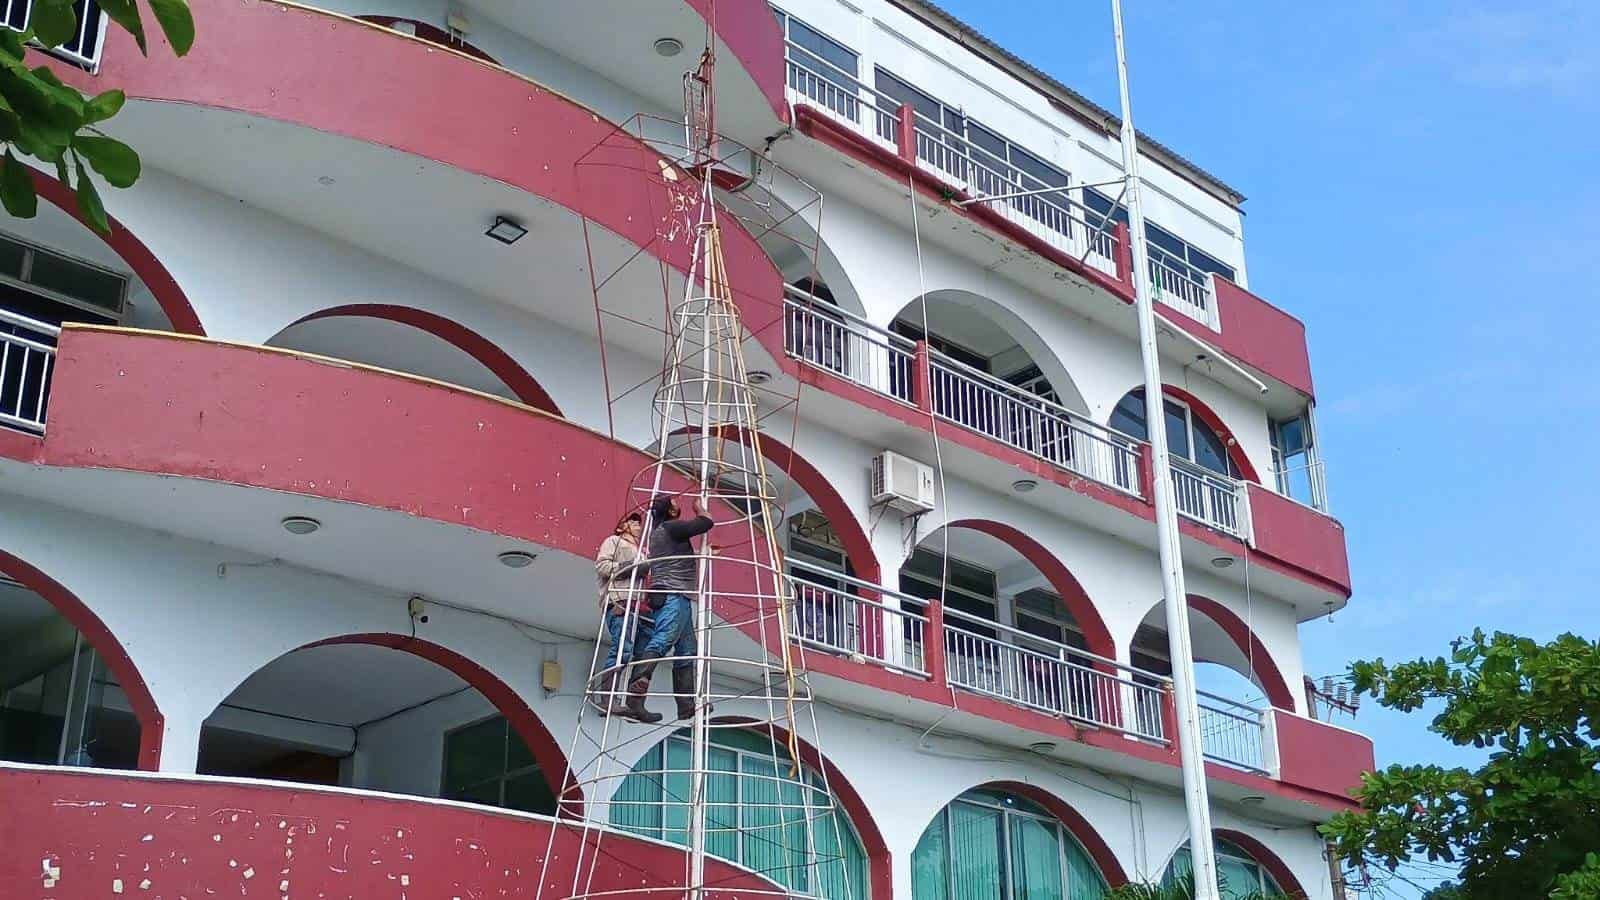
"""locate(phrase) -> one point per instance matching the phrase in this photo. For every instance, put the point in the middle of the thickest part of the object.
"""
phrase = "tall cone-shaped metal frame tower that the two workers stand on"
(734, 768)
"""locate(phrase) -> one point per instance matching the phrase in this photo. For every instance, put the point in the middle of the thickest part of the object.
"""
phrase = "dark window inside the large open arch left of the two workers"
(487, 763)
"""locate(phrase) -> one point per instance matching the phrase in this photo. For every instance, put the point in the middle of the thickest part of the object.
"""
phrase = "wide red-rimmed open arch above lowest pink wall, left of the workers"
(386, 713)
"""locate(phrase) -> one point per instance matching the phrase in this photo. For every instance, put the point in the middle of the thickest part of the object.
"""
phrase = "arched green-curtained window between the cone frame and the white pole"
(994, 846)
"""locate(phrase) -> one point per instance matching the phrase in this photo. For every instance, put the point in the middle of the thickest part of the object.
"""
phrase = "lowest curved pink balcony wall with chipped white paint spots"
(76, 834)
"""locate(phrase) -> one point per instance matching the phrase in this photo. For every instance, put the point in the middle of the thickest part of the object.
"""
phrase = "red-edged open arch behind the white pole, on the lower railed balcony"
(1236, 678)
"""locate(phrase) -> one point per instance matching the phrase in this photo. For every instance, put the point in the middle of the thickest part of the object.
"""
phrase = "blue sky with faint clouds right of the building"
(1423, 190)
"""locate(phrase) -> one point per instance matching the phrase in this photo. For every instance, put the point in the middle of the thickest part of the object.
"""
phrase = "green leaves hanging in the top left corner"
(44, 119)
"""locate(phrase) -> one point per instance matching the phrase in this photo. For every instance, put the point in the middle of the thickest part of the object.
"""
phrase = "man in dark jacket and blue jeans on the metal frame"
(674, 581)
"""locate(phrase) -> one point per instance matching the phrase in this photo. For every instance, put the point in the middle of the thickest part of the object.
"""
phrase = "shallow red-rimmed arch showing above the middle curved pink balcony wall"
(415, 342)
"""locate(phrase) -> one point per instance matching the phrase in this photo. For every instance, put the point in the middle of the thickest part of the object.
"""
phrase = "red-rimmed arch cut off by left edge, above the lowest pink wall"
(70, 694)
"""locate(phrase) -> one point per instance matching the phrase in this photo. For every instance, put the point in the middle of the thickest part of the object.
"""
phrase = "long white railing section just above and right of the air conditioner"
(1031, 424)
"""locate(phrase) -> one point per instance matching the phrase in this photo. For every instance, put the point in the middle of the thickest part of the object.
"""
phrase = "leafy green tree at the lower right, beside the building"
(1527, 822)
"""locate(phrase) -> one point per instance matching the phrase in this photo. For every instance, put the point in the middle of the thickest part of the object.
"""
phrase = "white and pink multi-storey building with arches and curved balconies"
(303, 470)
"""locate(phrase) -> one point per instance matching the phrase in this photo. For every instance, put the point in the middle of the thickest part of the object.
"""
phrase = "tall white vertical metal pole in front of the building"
(1177, 600)
